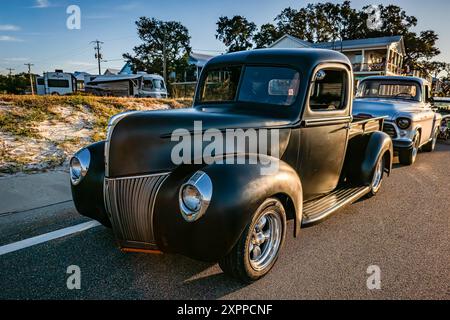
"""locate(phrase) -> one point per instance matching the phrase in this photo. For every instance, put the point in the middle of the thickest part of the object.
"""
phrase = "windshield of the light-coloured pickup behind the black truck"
(409, 90)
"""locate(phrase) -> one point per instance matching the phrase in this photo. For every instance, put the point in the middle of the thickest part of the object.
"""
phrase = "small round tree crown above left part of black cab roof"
(236, 33)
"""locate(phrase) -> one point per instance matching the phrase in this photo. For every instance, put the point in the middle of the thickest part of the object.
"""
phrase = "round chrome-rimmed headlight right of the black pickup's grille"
(195, 196)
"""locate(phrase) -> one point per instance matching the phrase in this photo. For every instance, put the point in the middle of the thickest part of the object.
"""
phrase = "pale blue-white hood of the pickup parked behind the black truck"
(392, 108)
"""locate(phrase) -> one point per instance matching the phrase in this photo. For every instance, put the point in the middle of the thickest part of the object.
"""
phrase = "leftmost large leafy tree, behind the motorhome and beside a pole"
(166, 44)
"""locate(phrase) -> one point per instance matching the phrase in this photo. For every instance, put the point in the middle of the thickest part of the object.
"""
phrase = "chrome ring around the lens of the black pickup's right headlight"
(203, 183)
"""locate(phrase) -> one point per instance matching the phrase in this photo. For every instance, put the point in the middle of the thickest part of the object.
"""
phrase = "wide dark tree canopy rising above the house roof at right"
(330, 22)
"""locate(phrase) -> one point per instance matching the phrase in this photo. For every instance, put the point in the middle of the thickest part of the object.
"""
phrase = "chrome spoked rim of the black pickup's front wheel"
(265, 241)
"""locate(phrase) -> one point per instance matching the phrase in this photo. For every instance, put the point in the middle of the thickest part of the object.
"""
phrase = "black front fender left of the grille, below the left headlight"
(88, 194)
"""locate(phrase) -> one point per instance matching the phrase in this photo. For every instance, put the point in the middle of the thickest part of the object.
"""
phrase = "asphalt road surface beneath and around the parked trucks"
(404, 230)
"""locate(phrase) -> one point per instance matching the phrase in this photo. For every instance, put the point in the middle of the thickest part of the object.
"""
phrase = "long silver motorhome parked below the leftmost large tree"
(140, 85)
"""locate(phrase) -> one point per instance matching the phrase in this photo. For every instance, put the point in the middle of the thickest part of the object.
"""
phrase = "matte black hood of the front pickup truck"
(141, 143)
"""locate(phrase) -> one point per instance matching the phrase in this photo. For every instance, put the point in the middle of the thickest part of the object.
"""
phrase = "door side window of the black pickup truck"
(329, 90)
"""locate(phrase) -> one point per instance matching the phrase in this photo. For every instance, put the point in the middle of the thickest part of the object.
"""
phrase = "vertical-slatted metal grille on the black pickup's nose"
(130, 204)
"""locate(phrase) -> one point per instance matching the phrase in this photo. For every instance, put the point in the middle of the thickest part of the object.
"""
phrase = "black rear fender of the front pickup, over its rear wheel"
(363, 153)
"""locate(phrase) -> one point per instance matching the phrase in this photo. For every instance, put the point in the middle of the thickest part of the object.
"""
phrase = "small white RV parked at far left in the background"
(56, 83)
